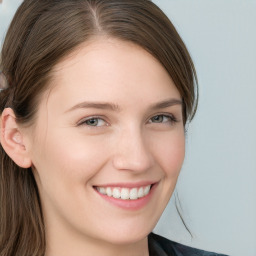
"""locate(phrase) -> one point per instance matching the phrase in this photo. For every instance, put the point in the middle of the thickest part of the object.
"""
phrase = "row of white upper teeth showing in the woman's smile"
(125, 193)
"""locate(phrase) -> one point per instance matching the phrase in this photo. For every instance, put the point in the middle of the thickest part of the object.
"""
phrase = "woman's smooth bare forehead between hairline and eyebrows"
(111, 69)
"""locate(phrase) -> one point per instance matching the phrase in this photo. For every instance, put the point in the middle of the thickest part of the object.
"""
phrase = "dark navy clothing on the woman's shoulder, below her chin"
(160, 246)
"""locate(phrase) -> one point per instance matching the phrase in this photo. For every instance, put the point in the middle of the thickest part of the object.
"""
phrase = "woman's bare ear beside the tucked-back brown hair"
(12, 139)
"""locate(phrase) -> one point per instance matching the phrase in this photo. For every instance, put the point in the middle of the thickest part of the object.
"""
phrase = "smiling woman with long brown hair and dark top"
(92, 128)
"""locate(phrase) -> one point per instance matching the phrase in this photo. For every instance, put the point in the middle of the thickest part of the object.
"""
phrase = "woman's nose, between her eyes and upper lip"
(132, 152)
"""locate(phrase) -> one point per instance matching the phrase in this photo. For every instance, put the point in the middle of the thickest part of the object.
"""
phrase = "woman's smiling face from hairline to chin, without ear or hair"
(108, 144)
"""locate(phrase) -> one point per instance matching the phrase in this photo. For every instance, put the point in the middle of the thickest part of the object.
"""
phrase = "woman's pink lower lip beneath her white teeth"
(134, 205)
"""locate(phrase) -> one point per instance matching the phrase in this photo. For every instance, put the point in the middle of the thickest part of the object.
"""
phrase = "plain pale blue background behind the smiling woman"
(217, 186)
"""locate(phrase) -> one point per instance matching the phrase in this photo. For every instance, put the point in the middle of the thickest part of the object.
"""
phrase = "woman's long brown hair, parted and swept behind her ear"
(40, 35)
